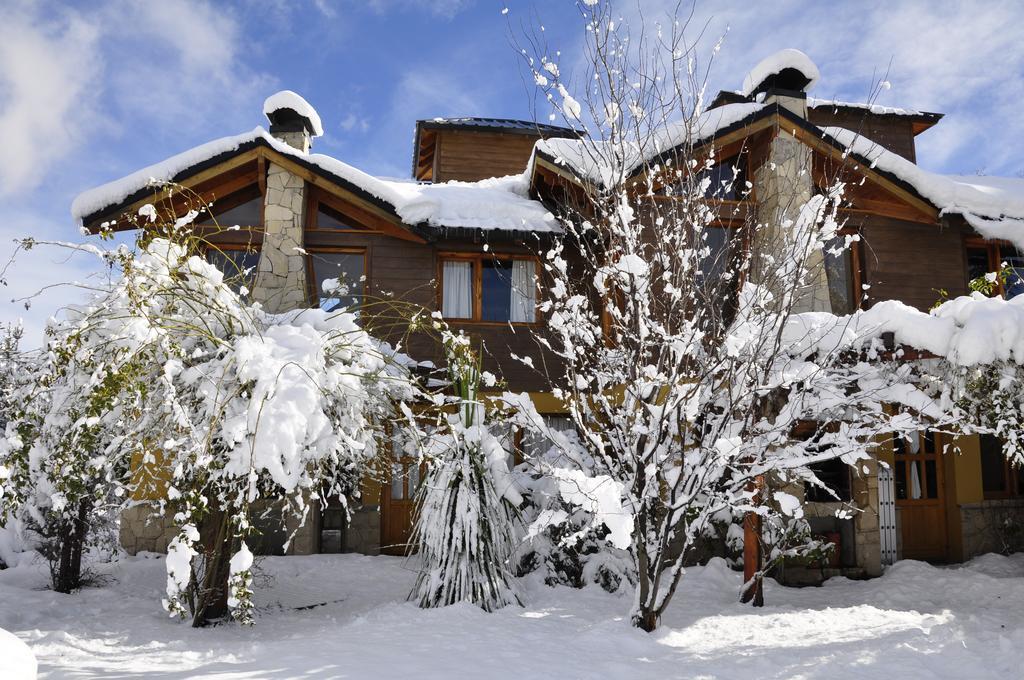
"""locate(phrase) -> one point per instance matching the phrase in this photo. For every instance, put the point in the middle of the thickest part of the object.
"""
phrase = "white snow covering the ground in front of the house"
(346, 617)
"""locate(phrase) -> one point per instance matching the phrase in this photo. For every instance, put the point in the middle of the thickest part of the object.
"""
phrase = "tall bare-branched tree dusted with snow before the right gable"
(690, 370)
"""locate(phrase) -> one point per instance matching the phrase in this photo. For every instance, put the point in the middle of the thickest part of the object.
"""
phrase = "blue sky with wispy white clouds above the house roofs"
(93, 91)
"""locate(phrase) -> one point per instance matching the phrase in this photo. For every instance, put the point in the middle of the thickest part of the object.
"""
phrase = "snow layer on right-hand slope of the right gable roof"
(994, 206)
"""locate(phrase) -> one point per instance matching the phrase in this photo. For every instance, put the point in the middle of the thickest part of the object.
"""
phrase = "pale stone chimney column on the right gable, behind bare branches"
(784, 185)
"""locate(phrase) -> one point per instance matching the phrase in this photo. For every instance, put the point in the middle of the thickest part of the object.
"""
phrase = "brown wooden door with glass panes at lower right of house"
(921, 497)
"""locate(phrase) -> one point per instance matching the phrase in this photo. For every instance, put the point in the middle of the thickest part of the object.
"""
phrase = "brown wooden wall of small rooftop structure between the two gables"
(472, 156)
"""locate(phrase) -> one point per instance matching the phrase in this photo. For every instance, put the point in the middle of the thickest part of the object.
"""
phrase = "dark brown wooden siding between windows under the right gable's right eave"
(910, 262)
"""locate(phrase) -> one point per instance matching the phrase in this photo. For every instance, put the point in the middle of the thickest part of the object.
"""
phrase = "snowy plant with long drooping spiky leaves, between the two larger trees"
(466, 508)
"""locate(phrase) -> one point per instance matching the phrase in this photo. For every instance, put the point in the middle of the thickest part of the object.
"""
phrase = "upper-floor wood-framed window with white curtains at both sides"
(487, 288)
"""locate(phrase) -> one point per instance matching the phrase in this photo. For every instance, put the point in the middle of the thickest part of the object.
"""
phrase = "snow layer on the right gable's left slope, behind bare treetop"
(601, 163)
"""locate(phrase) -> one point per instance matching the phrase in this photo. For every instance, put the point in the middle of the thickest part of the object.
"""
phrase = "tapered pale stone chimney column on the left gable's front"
(281, 277)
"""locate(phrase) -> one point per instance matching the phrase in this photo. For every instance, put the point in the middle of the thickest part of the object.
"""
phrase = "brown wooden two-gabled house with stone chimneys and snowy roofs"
(461, 237)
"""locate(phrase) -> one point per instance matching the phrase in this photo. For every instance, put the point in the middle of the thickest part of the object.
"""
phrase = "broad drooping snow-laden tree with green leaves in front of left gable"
(169, 385)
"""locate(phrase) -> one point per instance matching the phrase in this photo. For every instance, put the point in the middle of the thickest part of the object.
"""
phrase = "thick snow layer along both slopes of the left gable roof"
(500, 204)
